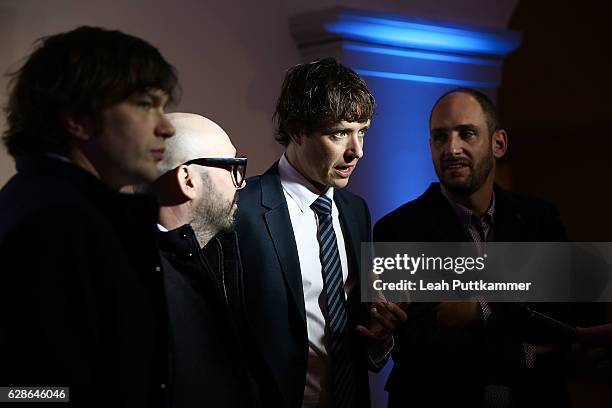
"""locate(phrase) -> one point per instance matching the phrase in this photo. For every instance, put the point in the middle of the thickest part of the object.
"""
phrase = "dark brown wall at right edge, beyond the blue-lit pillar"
(555, 100)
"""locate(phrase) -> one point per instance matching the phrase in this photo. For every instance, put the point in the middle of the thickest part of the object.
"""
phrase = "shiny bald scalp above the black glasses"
(195, 137)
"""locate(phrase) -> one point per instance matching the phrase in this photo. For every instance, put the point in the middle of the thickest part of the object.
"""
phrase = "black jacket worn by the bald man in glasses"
(209, 339)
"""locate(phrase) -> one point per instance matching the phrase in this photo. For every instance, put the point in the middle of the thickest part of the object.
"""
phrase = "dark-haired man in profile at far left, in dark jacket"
(81, 300)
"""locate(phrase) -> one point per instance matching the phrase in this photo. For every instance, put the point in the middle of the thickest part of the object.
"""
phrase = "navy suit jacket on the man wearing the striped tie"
(273, 284)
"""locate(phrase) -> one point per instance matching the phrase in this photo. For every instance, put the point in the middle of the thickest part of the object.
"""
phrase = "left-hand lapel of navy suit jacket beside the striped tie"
(279, 227)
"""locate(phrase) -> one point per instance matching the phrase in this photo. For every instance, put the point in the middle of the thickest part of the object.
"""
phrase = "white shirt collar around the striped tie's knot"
(298, 188)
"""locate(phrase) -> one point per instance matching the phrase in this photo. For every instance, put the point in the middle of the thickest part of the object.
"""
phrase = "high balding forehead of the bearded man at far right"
(457, 109)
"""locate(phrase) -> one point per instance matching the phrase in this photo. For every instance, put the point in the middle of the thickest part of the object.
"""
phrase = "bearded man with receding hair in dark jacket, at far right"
(464, 353)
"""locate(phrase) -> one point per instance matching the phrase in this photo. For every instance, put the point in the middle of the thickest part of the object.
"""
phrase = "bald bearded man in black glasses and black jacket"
(197, 188)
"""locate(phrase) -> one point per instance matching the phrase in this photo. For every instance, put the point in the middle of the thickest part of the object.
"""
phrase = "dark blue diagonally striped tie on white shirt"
(342, 368)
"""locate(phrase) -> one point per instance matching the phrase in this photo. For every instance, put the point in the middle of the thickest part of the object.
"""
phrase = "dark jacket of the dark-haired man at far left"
(81, 299)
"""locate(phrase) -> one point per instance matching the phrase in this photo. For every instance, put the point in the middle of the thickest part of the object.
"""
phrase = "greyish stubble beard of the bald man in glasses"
(213, 214)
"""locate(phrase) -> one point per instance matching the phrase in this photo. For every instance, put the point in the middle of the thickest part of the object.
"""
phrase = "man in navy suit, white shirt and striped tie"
(300, 236)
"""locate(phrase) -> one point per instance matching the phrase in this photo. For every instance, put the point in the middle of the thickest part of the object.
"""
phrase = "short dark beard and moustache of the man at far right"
(478, 174)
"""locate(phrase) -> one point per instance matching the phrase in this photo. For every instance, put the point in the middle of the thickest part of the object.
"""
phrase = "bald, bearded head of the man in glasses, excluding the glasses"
(201, 195)
